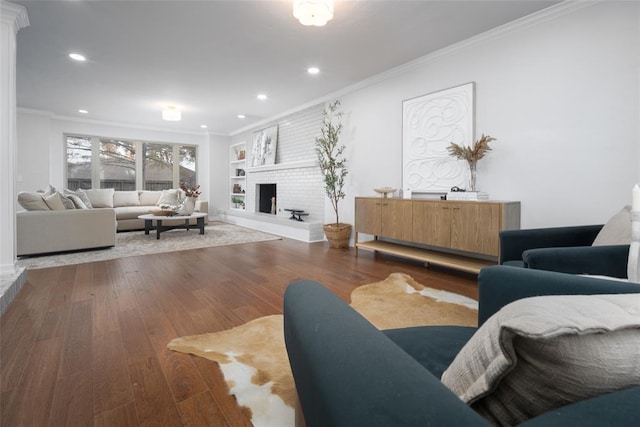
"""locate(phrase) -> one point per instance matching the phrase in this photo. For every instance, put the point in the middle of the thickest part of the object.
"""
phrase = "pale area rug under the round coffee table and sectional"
(132, 243)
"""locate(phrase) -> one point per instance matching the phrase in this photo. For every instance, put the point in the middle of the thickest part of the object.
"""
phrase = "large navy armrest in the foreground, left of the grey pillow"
(348, 373)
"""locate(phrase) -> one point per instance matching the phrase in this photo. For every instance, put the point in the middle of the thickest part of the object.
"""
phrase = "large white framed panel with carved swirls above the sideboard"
(429, 124)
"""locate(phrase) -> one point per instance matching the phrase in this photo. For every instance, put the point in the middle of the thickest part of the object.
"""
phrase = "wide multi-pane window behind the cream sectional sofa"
(94, 162)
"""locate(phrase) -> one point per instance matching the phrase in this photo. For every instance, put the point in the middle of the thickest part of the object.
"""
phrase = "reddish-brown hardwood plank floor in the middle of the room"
(85, 345)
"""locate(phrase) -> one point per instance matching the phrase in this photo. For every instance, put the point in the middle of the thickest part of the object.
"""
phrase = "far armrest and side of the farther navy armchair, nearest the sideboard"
(514, 242)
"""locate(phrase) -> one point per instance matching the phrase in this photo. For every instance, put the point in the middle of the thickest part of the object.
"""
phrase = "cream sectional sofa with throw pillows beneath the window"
(51, 225)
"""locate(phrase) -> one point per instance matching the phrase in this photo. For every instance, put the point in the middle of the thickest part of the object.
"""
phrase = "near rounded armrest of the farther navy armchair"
(602, 260)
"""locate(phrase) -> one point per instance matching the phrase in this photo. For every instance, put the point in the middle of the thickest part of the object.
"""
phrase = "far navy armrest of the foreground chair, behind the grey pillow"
(500, 285)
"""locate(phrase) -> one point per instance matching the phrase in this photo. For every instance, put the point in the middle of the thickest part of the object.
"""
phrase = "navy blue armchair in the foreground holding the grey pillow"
(348, 373)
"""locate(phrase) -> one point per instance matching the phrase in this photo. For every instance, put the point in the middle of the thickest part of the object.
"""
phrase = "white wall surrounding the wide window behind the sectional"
(41, 148)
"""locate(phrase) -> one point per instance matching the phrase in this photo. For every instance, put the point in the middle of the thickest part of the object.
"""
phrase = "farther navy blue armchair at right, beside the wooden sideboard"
(563, 249)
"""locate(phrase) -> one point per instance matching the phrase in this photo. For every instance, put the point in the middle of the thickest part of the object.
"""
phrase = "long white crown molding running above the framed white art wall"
(536, 18)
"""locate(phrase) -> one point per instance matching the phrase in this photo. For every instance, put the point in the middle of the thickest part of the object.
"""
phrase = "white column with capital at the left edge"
(12, 18)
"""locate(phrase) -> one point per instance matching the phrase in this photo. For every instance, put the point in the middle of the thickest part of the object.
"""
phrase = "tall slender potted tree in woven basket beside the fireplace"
(334, 170)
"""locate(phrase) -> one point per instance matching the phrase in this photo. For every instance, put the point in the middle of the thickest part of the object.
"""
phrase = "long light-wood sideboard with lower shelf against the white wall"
(456, 234)
